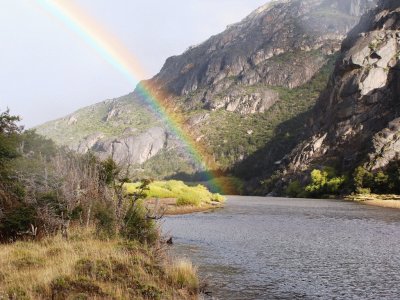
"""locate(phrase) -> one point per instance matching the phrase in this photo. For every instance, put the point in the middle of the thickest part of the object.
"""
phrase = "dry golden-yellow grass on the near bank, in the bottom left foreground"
(87, 268)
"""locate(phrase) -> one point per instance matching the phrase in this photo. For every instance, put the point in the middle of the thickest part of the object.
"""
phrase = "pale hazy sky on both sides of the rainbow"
(48, 71)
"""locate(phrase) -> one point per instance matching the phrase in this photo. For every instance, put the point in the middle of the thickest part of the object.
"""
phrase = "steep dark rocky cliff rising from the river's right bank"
(357, 119)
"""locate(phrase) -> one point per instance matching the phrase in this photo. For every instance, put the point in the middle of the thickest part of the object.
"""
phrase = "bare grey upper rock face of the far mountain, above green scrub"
(283, 43)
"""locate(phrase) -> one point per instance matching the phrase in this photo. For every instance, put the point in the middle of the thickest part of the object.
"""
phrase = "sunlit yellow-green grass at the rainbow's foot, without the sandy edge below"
(185, 195)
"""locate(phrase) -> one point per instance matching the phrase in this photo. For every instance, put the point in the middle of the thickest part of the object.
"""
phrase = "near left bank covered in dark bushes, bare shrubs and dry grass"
(70, 230)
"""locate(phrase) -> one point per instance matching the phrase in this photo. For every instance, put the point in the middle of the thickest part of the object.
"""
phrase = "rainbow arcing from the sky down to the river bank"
(115, 53)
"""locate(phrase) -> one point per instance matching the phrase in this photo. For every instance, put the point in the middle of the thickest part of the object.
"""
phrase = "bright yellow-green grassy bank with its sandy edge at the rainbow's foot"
(175, 197)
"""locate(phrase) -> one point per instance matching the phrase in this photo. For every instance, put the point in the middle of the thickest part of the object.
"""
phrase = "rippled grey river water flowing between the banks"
(278, 248)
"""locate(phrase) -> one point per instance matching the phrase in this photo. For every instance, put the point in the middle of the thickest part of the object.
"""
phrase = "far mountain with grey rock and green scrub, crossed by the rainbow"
(236, 92)
